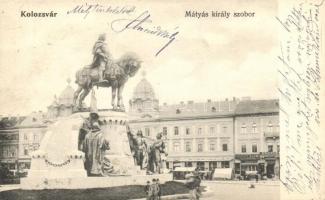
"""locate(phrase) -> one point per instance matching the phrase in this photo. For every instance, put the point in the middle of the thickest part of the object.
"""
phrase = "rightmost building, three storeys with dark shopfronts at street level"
(257, 137)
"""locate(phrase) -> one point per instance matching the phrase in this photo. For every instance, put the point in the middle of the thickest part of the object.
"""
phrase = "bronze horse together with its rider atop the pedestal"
(104, 71)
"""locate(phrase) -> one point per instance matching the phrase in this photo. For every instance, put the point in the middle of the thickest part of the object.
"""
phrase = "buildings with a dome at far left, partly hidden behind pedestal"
(19, 136)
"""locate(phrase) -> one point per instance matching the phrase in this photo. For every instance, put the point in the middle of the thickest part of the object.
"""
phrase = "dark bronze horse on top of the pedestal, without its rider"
(127, 66)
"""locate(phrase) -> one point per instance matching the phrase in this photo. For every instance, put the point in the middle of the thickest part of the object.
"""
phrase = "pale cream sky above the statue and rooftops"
(210, 58)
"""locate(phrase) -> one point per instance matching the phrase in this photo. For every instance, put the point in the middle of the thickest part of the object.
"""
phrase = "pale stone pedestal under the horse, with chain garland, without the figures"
(59, 164)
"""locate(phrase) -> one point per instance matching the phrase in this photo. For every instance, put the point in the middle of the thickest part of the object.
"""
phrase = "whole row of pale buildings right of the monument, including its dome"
(239, 134)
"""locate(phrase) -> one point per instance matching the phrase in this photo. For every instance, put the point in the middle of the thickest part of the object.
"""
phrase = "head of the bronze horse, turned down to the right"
(130, 63)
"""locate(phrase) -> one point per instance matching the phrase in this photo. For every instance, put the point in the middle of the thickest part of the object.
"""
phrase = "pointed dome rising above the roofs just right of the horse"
(144, 90)
